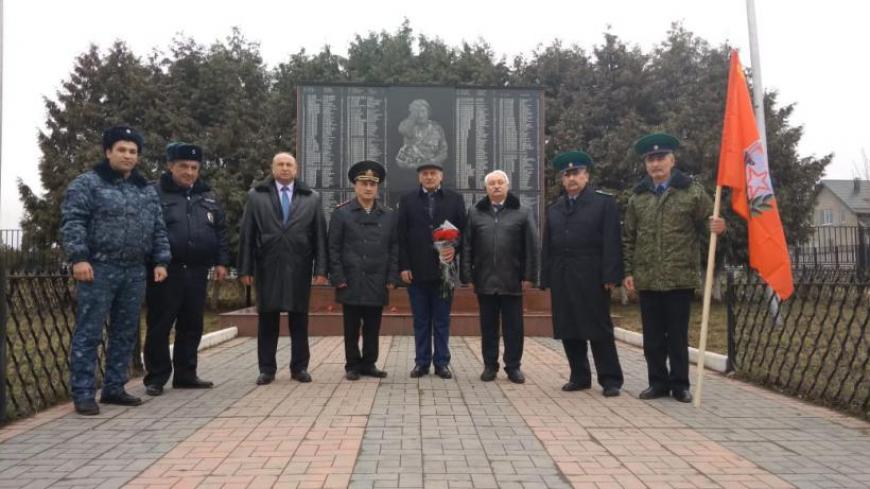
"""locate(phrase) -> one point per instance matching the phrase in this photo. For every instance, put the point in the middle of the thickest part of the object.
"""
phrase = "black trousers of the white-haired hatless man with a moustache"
(503, 312)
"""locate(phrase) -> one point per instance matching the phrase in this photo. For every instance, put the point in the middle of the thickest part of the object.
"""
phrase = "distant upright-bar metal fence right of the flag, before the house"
(834, 247)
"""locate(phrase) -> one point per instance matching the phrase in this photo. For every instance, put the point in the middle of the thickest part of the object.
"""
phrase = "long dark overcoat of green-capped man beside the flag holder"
(581, 252)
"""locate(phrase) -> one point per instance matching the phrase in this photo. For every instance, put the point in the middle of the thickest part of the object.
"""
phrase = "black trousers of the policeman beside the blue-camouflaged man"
(177, 301)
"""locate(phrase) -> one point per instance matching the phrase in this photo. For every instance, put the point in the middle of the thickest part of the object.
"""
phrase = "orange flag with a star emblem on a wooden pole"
(743, 167)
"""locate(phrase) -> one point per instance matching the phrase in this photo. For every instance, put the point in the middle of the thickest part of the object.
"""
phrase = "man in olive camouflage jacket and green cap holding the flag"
(664, 222)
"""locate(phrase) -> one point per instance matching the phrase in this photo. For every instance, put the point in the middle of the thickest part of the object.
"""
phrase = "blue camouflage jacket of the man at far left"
(108, 219)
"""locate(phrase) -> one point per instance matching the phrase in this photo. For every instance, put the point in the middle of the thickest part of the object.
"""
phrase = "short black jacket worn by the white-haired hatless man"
(500, 249)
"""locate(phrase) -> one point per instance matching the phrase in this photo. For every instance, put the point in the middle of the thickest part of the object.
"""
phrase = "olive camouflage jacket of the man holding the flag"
(662, 234)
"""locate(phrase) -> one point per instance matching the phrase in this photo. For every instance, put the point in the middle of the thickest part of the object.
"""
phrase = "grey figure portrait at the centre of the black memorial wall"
(424, 140)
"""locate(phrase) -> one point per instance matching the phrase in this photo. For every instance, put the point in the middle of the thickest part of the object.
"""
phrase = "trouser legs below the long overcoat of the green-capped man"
(606, 362)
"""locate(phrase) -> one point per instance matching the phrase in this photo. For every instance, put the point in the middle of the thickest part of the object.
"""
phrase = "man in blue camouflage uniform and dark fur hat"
(112, 225)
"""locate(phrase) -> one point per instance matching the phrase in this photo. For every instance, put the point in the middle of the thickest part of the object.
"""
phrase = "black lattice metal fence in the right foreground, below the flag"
(815, 345)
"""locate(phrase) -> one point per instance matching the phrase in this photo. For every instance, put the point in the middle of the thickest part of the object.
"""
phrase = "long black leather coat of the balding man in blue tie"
(282, 258)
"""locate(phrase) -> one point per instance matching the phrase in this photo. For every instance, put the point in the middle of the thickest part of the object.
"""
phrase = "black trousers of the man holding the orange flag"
(665, 318)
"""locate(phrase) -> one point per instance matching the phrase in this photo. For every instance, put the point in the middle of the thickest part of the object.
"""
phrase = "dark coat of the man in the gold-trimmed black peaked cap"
(363, 253)
